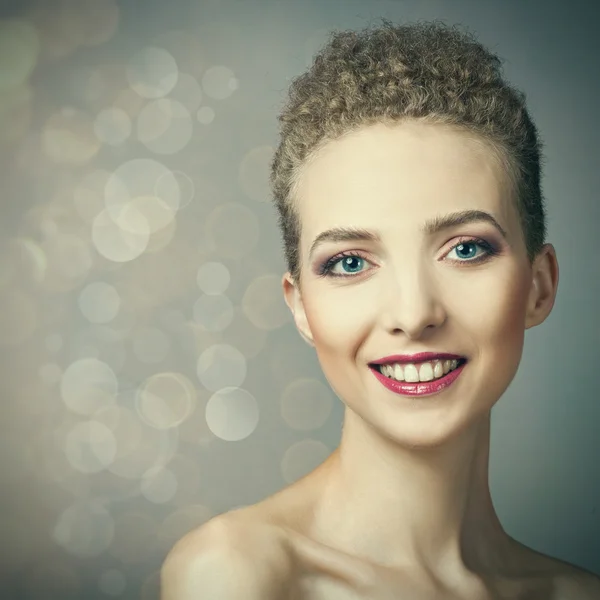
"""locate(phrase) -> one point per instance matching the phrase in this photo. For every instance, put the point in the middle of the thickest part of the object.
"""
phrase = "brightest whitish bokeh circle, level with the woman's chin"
(232, 414)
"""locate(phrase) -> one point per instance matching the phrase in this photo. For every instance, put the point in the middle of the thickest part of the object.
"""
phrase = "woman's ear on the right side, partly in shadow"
(544, 285)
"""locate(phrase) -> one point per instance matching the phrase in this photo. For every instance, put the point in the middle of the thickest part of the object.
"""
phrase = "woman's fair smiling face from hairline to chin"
(412, 290)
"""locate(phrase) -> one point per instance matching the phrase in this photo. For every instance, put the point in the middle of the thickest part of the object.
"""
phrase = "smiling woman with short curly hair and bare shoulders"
(407, 181)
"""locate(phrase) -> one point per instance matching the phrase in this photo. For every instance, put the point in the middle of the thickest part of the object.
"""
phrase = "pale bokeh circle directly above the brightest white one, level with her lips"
(221, 366)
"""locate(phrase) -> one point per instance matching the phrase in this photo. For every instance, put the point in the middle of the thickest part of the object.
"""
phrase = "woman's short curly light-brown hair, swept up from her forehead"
(426, 71)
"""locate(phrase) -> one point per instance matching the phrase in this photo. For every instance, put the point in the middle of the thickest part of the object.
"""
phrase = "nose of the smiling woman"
(412, 303)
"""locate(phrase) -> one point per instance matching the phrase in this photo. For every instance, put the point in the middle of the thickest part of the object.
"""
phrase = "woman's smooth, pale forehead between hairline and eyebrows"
(399, 176)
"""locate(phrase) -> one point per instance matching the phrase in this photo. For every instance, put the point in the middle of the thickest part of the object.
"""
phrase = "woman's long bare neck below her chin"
(428, 508)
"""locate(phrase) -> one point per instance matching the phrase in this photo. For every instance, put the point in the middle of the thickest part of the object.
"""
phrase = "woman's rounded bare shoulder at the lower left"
(224, 558)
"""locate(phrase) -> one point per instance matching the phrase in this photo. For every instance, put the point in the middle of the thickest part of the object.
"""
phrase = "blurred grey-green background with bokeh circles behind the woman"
(151, 374)
